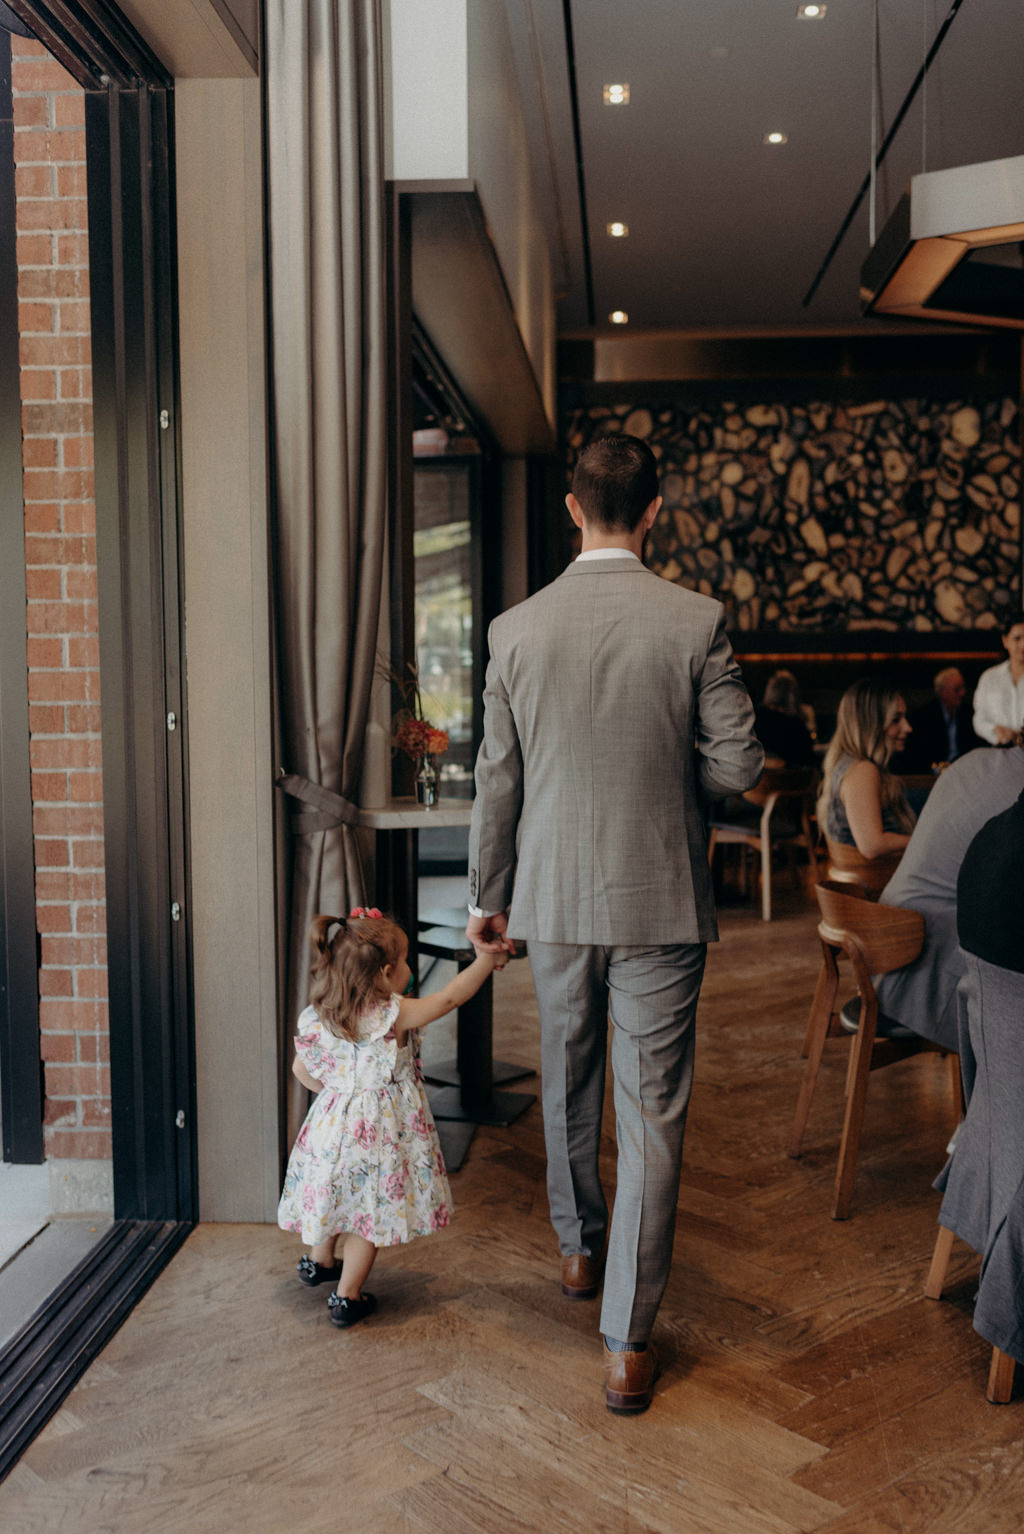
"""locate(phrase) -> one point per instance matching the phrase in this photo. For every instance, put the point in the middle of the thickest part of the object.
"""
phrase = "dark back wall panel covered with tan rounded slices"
(894, 515)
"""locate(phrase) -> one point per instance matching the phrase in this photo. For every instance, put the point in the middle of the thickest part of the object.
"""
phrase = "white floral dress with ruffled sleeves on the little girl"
(367, 1159)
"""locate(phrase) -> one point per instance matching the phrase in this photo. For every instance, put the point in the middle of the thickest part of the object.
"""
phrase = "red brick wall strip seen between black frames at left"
(61, 559)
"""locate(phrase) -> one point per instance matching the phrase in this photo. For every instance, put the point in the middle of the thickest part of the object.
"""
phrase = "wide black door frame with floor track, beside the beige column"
(130, 150)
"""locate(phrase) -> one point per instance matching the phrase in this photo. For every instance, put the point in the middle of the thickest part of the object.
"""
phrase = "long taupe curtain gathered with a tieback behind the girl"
(329, 429)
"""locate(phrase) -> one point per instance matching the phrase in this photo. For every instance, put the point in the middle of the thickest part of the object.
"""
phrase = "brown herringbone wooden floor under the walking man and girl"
(809, 1386)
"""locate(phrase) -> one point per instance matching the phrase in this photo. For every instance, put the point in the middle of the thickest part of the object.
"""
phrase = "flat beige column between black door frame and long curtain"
(228, 644)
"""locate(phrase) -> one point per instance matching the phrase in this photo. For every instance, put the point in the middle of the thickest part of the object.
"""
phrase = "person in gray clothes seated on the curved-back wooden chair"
(924, 996)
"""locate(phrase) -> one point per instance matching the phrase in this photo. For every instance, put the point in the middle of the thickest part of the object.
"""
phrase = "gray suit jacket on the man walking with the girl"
(612, 706)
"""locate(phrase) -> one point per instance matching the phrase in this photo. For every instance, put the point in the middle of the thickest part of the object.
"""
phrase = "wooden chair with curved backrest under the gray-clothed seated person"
(875, 940)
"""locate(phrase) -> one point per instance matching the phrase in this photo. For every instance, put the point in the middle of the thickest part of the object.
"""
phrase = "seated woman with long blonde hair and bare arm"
(862, 805)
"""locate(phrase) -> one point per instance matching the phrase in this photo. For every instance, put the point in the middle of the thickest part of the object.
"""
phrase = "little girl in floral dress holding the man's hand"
(367, 1159)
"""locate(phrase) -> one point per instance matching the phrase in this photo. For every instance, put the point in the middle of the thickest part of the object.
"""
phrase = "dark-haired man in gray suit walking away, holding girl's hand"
(614, 708)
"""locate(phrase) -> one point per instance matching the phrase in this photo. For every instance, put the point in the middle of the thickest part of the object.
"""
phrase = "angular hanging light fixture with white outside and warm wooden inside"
(953, 249)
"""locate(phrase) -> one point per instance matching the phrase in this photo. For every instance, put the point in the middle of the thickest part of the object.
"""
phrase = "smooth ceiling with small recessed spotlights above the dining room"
(726, 232)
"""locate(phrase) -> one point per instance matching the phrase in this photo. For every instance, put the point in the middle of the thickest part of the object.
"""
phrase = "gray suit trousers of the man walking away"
(652, 995)
